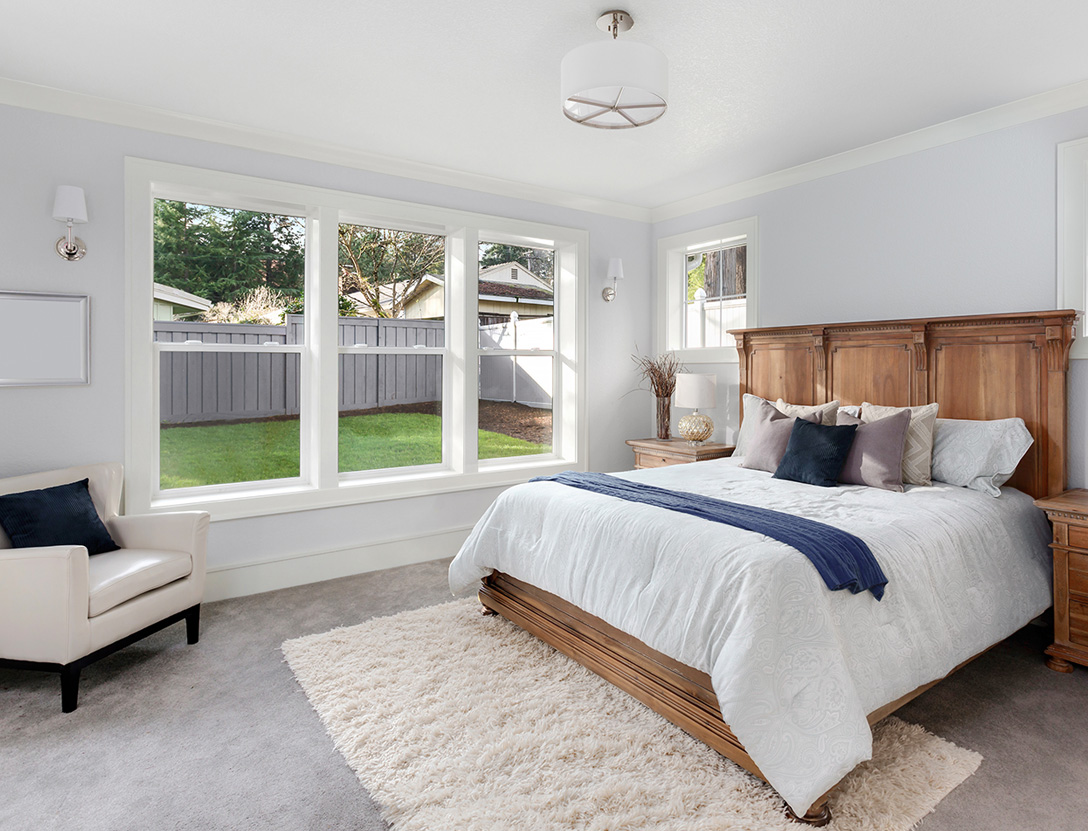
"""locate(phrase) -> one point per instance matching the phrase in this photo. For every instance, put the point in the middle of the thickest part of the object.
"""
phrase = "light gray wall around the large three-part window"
(56, 427)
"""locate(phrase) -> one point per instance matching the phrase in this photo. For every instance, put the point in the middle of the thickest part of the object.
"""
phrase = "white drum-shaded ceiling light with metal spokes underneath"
(613, 84)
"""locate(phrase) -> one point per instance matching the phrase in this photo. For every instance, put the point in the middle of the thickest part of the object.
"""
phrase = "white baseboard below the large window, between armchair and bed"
(314, 567)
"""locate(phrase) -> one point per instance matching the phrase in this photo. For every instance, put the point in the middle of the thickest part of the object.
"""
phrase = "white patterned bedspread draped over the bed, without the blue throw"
(796, 667)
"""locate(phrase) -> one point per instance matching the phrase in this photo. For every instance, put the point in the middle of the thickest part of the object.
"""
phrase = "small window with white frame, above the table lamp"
(708, 287)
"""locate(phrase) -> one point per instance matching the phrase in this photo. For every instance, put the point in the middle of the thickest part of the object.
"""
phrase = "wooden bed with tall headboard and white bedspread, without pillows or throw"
(802, 734)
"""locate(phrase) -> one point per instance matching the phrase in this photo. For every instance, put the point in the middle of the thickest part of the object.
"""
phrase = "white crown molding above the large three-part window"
(109, 111)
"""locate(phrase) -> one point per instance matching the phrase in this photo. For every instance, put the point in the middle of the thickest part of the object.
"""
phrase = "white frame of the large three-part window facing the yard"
(320, 483)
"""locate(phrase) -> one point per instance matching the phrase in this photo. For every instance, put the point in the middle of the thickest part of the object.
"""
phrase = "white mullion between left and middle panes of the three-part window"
(322, 386)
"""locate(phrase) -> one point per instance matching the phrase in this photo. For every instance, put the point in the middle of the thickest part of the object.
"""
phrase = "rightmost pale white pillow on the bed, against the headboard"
(980, 455)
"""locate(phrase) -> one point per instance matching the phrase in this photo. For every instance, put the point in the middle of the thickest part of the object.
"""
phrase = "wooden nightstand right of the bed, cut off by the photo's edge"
(1069, 513)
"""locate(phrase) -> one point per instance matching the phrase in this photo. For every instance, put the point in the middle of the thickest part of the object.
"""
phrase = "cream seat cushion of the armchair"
(120, 576)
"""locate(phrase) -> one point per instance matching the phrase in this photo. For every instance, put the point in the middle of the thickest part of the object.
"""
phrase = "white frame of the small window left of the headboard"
(673, 286)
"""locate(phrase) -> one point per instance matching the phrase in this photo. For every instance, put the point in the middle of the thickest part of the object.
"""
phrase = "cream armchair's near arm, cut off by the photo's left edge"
(44, 600)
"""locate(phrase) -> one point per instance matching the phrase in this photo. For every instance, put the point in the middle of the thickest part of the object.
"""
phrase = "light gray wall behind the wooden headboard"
(963, 229)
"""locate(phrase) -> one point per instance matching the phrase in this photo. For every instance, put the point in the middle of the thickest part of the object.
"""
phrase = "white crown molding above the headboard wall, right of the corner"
(1056, 102)
